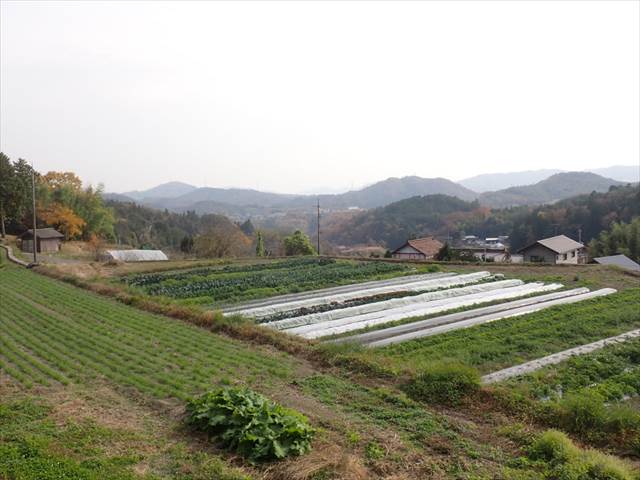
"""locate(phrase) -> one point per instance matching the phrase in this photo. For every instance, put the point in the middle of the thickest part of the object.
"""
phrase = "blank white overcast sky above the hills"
(301, 96)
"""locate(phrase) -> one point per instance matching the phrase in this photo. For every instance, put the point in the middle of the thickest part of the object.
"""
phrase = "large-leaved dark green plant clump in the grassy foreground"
(250, 424)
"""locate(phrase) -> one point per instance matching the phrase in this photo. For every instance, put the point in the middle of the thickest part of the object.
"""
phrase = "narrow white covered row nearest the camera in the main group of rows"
(491, 317)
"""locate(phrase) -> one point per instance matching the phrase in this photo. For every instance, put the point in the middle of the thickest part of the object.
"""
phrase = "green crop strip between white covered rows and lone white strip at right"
(512, 341)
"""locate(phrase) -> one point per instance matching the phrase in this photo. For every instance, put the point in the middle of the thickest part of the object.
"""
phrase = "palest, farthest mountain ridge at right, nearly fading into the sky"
(490, 182)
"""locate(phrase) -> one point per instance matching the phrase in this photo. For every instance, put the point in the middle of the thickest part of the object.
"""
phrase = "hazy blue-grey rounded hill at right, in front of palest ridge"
(557, 187)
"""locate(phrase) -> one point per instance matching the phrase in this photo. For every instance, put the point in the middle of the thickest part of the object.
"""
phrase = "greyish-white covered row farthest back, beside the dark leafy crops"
(333, 290)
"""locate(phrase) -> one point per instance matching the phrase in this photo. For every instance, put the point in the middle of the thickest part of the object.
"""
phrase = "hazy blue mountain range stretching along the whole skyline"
(242, 203)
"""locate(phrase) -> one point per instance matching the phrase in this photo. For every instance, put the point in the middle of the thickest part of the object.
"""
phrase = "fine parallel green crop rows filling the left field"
(53, 332)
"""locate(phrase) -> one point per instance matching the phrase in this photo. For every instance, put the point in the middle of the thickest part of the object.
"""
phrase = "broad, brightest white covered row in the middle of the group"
(428, 308)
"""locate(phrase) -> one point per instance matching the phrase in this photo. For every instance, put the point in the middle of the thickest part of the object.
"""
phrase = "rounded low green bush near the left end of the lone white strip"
(445, 383)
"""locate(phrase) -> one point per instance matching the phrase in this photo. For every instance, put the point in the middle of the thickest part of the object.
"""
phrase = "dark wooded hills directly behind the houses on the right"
(444, 216)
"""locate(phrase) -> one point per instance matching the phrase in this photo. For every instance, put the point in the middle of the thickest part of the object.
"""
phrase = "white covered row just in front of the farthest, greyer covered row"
(416, 286)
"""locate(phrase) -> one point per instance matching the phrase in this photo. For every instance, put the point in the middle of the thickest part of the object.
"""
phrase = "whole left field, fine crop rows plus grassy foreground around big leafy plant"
(60, 341)
